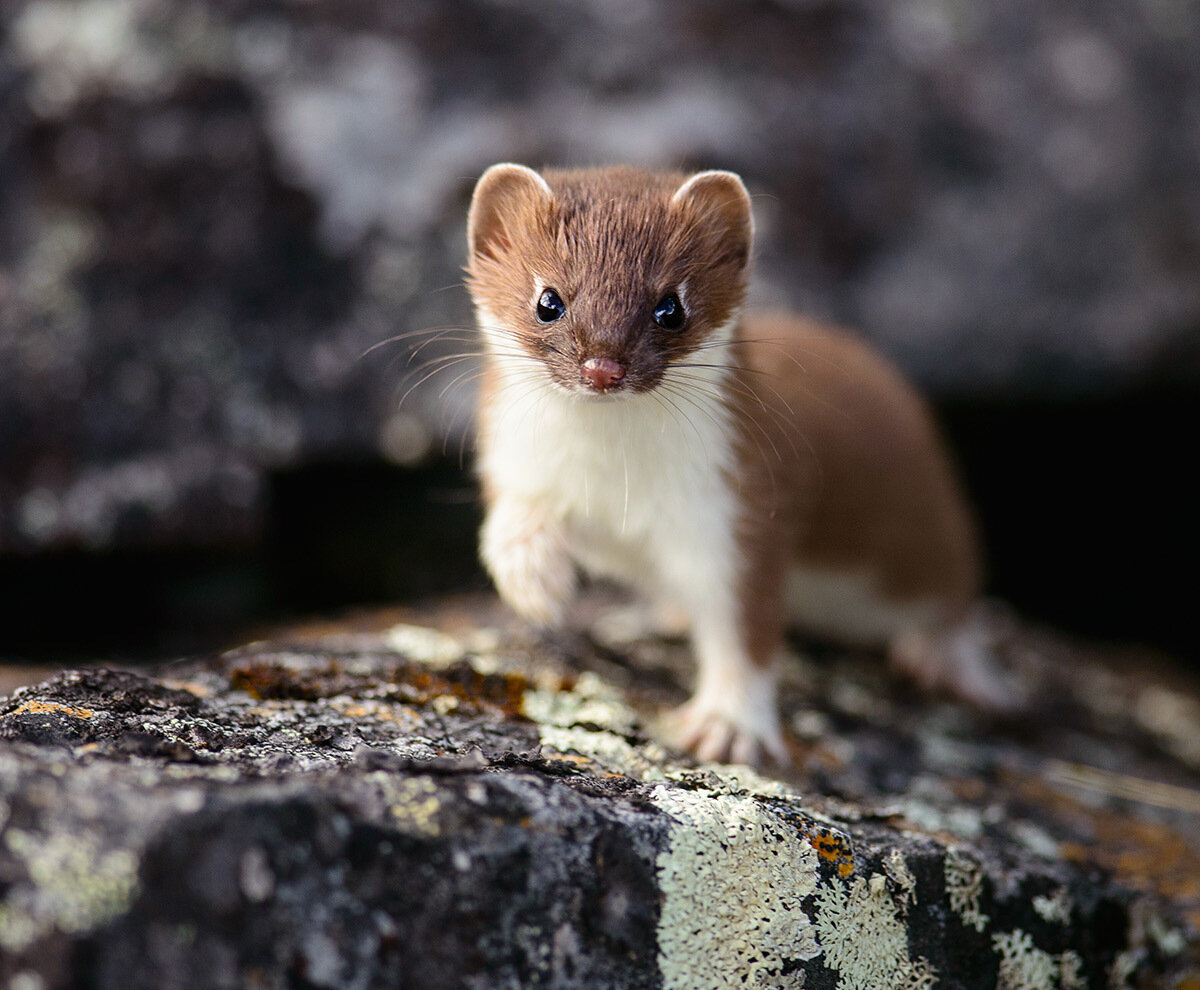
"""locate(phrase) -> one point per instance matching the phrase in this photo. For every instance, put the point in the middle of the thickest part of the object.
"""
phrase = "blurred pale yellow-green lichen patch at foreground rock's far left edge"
(74, 887)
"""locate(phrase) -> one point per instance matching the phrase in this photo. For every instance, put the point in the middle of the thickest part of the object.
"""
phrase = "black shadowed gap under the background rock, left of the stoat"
(339, 536)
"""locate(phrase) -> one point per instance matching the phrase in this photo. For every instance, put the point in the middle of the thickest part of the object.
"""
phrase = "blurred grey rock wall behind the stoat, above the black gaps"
(212, 212)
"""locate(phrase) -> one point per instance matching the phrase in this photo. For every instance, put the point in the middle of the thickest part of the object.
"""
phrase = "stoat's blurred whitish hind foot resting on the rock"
(958, 659)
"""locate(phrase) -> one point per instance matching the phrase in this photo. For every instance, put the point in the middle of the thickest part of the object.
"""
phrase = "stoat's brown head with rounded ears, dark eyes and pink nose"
(609, 278)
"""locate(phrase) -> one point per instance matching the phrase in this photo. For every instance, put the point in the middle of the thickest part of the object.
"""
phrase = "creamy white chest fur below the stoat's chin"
(641, 483)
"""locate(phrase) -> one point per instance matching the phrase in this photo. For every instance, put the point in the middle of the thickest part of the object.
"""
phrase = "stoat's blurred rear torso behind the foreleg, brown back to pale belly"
(877, 506)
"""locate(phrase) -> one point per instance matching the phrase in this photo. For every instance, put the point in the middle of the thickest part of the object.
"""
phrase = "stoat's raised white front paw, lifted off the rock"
(526, 555)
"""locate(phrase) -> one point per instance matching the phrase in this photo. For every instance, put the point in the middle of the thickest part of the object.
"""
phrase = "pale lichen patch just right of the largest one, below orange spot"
(865, 939)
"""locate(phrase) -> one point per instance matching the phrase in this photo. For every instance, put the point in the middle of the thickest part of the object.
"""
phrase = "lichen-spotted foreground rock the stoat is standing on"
(453, 805)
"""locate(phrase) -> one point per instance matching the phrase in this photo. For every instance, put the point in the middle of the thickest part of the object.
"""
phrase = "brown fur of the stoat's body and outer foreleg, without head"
(842, 467)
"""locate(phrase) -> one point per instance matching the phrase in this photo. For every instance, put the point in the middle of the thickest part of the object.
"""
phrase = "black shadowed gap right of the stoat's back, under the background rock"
(1090, 512)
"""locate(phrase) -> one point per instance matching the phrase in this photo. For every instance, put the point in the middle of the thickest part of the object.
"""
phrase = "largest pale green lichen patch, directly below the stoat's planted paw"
(734, 878)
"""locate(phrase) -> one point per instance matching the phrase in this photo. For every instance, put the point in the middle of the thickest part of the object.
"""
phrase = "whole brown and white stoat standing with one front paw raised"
(751, 471)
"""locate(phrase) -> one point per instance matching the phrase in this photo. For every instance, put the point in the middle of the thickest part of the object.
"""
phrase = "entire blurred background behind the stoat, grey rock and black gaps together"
(214, 215)
